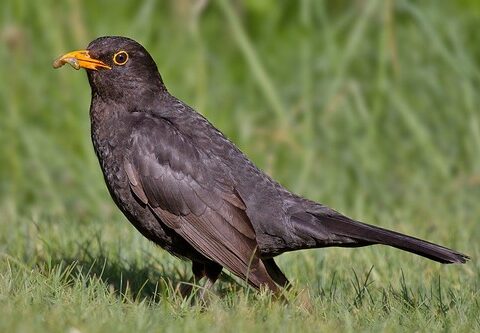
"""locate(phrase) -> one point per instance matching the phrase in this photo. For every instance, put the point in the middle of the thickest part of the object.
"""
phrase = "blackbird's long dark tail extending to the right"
(329, 228)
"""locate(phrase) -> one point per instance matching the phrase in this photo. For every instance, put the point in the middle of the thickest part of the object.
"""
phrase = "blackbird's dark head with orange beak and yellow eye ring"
(117, 68)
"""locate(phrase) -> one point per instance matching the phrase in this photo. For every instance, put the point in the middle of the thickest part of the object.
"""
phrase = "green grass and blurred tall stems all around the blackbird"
(370, 107)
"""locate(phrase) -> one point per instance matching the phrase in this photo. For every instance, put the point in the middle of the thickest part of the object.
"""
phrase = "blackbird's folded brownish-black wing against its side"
(186, 189)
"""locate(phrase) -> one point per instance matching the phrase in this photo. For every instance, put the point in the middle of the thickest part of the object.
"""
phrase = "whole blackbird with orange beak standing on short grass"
(190, 190)
